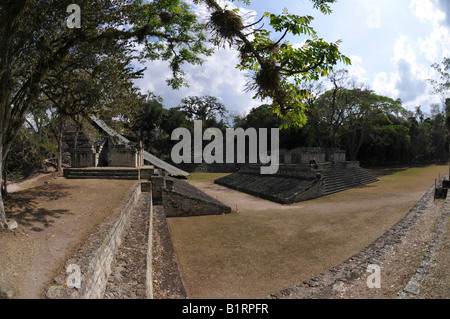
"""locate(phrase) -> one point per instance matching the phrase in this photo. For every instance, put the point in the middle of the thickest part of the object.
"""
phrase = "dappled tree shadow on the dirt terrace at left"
(23, 206)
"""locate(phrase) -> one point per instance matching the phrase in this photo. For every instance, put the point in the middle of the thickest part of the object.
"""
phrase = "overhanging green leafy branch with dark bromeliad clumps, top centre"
(277, 68)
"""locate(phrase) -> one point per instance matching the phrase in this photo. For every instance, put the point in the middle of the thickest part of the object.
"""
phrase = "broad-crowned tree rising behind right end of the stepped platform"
(346, 114)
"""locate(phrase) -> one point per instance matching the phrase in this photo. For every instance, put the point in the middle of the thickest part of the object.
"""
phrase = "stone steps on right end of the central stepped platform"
(340, 177)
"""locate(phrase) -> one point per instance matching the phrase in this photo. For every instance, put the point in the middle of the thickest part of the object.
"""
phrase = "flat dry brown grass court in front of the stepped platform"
(265, 247)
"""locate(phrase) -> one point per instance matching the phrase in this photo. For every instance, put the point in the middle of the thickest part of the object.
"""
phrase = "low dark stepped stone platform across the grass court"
(298, 182)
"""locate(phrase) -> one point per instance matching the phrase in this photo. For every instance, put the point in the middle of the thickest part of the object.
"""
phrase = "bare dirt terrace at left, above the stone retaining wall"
(54, 219)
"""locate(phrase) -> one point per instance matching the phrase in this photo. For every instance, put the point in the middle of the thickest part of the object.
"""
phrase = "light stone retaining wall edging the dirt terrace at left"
(96, 256)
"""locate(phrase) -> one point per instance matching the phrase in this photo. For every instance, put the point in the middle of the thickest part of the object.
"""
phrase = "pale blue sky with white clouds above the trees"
(392, 45)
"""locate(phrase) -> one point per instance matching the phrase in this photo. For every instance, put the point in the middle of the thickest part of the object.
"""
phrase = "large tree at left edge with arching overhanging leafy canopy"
(35, 43)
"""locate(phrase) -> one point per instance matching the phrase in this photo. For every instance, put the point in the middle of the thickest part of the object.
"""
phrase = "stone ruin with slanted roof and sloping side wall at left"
(97, 151)
